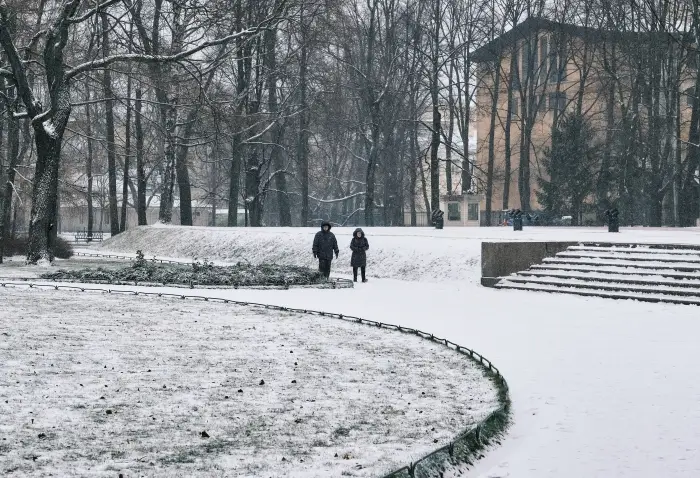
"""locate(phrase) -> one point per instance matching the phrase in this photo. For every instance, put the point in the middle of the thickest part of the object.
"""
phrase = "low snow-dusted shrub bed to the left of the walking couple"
(198, 273)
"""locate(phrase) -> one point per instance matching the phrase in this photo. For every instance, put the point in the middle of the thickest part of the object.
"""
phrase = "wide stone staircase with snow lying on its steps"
(645, 272)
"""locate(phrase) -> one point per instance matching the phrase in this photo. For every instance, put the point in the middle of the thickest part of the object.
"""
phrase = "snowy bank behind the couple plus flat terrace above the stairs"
(417, 254)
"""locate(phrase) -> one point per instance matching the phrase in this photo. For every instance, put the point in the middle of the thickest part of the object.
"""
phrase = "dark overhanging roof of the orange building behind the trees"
(532, 25)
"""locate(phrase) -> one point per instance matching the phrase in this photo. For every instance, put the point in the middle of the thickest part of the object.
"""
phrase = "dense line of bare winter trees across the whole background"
(299, 110)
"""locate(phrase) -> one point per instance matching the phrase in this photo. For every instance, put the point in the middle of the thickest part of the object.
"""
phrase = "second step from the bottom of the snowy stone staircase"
(609, 286)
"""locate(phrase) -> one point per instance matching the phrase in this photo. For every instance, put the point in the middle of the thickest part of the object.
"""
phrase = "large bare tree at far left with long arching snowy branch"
(50, 123)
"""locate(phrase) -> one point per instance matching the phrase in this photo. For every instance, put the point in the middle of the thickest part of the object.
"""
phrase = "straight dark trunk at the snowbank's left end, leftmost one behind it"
(109, 118)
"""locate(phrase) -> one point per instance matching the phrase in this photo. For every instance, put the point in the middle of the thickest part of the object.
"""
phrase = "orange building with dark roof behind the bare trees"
(533, 75)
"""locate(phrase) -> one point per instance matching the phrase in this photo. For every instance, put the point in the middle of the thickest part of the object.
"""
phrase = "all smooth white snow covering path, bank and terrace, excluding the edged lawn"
(600, 388)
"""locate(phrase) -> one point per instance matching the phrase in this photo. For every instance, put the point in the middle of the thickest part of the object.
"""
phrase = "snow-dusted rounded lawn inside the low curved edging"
(97, 384)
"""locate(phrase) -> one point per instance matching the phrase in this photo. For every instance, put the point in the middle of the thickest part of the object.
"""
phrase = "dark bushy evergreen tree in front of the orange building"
(569, 168)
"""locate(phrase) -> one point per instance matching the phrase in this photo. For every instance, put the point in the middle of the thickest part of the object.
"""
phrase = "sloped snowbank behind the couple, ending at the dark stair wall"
(391, 255)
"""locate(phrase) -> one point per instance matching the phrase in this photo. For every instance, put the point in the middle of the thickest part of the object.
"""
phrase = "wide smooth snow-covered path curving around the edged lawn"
(600, 388)
